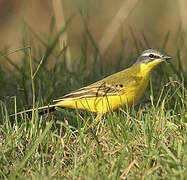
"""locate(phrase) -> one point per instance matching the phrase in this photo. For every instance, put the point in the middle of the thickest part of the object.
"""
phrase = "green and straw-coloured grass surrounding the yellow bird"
(145, 142)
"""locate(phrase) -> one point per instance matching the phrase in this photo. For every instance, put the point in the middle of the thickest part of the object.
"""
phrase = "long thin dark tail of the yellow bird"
(41, 110)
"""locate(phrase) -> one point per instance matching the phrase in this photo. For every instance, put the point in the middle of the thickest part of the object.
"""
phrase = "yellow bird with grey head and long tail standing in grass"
(124, 88)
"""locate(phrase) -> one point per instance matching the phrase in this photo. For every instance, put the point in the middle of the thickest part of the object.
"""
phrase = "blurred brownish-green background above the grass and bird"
(143, 24)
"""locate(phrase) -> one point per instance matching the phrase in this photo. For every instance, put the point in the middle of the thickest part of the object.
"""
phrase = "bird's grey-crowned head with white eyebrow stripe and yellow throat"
(151, 58)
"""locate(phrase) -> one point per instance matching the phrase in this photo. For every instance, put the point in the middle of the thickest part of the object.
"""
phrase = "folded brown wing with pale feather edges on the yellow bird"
(94, 90)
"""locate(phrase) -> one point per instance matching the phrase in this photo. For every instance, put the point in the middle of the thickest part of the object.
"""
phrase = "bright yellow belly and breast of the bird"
(133, 92)
